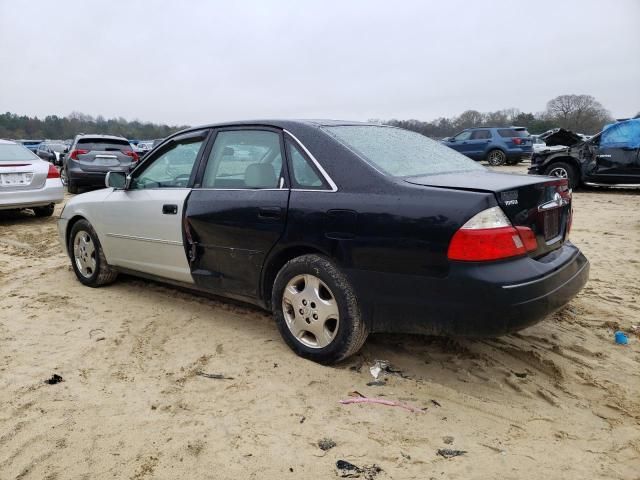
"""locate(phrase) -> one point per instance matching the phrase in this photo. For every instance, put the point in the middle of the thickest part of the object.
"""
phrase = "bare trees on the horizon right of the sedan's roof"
(579, 113)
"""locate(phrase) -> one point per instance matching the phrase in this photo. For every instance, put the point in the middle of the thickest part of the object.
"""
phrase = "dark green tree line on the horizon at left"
(22, 126)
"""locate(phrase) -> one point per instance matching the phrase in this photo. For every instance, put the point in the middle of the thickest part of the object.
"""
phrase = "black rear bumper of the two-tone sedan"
(474, 299)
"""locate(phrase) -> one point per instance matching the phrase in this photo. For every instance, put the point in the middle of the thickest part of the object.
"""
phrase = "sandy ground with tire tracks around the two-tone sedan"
(558, 400)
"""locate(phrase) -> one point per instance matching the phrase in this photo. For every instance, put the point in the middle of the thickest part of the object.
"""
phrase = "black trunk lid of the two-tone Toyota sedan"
(541, 204)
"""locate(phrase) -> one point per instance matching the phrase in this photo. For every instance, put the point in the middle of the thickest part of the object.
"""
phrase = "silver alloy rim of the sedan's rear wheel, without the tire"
(310, 311)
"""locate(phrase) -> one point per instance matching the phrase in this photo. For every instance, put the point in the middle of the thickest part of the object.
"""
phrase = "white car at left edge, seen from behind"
(26, 181)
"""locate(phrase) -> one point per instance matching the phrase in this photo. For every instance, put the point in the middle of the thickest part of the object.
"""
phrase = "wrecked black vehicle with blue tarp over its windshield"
(609, 158)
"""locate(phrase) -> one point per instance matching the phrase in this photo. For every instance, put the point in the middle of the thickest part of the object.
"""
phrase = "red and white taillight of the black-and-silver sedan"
(490, 236)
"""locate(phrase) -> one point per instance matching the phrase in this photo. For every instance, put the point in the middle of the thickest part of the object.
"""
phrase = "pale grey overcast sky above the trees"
(195, 62)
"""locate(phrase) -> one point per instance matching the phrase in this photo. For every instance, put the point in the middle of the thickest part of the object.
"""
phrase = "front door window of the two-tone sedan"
(171, 169)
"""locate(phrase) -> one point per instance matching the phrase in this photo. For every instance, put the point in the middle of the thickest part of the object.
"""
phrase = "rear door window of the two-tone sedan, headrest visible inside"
(242, 159)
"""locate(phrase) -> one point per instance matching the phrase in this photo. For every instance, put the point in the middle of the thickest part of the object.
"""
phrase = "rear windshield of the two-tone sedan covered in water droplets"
(401, 153)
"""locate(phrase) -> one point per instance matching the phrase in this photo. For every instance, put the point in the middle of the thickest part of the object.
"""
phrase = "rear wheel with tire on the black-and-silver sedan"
(316, 310)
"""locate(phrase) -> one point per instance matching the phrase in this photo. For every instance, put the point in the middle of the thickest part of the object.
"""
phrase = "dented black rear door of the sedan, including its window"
(238, 209)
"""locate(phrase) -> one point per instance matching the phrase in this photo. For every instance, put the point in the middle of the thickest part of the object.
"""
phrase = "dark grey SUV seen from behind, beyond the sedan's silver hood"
(92, 156)
